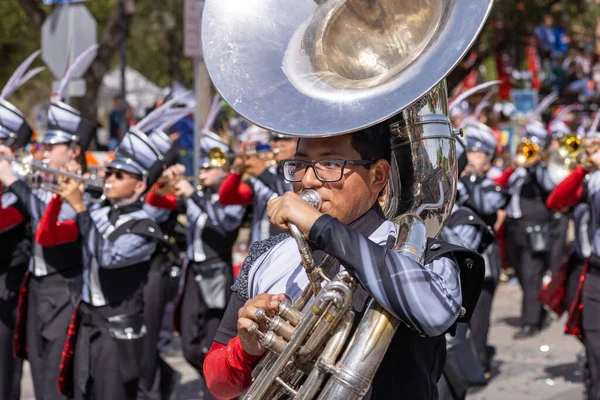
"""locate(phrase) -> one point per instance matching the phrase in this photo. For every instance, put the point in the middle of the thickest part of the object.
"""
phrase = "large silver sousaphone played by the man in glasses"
(316, 68)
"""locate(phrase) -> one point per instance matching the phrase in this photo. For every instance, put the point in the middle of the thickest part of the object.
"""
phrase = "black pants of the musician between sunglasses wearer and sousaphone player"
(199, 322)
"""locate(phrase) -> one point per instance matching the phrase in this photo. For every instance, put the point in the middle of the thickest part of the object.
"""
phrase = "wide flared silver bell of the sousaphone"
(308, 69)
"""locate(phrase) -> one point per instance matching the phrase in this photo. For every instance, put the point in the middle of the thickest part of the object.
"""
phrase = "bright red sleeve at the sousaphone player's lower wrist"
(228, 369)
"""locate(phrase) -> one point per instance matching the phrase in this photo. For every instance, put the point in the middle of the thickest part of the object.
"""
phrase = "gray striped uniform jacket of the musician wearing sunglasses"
(114, 265)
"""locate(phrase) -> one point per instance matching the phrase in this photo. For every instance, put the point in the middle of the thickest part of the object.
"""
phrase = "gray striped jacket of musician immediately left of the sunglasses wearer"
(47, 260)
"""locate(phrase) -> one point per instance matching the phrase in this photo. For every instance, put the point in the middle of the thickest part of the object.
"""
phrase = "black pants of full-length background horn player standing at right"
(530, 268)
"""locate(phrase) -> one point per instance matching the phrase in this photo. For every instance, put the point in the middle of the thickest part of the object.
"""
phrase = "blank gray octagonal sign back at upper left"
(67, 32)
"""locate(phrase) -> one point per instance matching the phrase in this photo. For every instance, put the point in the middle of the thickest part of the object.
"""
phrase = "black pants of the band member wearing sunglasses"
(98, 359)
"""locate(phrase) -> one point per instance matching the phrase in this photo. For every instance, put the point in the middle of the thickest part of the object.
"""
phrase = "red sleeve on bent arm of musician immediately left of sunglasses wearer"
(50, 232)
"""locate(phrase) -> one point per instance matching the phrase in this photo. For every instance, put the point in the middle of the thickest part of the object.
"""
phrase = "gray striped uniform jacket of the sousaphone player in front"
(427, 298)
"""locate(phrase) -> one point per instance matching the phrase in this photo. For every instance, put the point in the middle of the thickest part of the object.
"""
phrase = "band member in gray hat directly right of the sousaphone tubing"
(484, 198)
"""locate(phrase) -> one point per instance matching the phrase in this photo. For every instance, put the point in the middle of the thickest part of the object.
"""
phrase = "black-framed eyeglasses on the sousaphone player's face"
(329, 170)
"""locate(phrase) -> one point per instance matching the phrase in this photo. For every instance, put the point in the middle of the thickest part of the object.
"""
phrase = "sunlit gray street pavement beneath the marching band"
(544, 367)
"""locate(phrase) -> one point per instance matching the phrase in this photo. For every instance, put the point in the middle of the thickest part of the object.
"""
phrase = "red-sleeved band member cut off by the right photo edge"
(576, 285)
